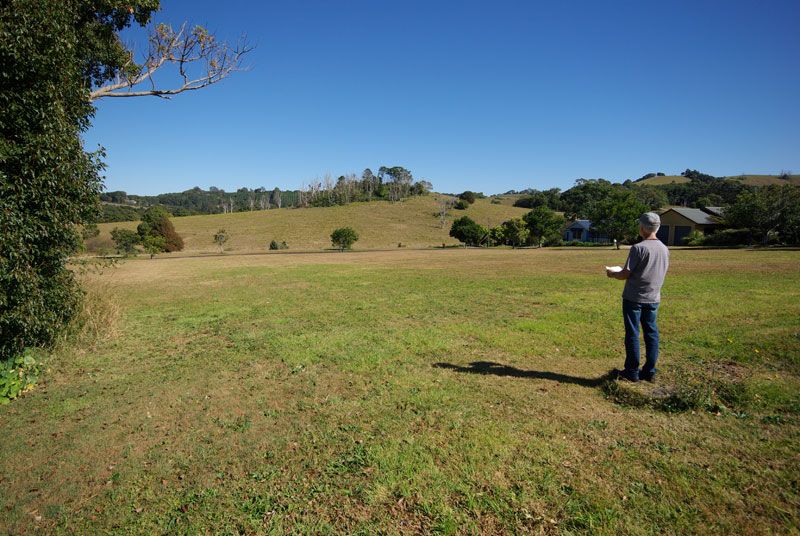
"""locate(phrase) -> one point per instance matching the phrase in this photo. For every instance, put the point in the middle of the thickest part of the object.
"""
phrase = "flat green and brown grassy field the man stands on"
(404, 392)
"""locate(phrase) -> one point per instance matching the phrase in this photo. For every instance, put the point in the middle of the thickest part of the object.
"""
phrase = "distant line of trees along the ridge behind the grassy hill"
(390, 183)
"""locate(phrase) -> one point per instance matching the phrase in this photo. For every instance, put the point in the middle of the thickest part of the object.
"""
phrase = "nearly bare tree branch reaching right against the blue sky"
(201, 60)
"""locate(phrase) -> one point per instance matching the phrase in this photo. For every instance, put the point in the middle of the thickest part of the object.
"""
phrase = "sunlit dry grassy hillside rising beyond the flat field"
(379, 224)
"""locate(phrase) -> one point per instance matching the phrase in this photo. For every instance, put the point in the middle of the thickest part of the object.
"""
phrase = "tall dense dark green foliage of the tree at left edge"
(51, 54)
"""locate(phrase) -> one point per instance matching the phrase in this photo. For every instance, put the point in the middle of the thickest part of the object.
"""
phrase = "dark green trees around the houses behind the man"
(751, 214)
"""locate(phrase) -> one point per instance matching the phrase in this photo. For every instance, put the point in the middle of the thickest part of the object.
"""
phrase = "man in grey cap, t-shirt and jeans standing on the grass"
(643, 273)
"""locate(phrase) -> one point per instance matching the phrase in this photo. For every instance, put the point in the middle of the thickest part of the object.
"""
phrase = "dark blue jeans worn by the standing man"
(633, 314)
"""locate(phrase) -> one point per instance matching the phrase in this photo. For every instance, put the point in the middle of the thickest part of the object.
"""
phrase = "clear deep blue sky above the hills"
(487, 96)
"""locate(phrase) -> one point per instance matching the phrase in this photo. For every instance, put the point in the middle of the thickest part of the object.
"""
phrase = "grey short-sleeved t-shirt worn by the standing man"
(648, 262)
